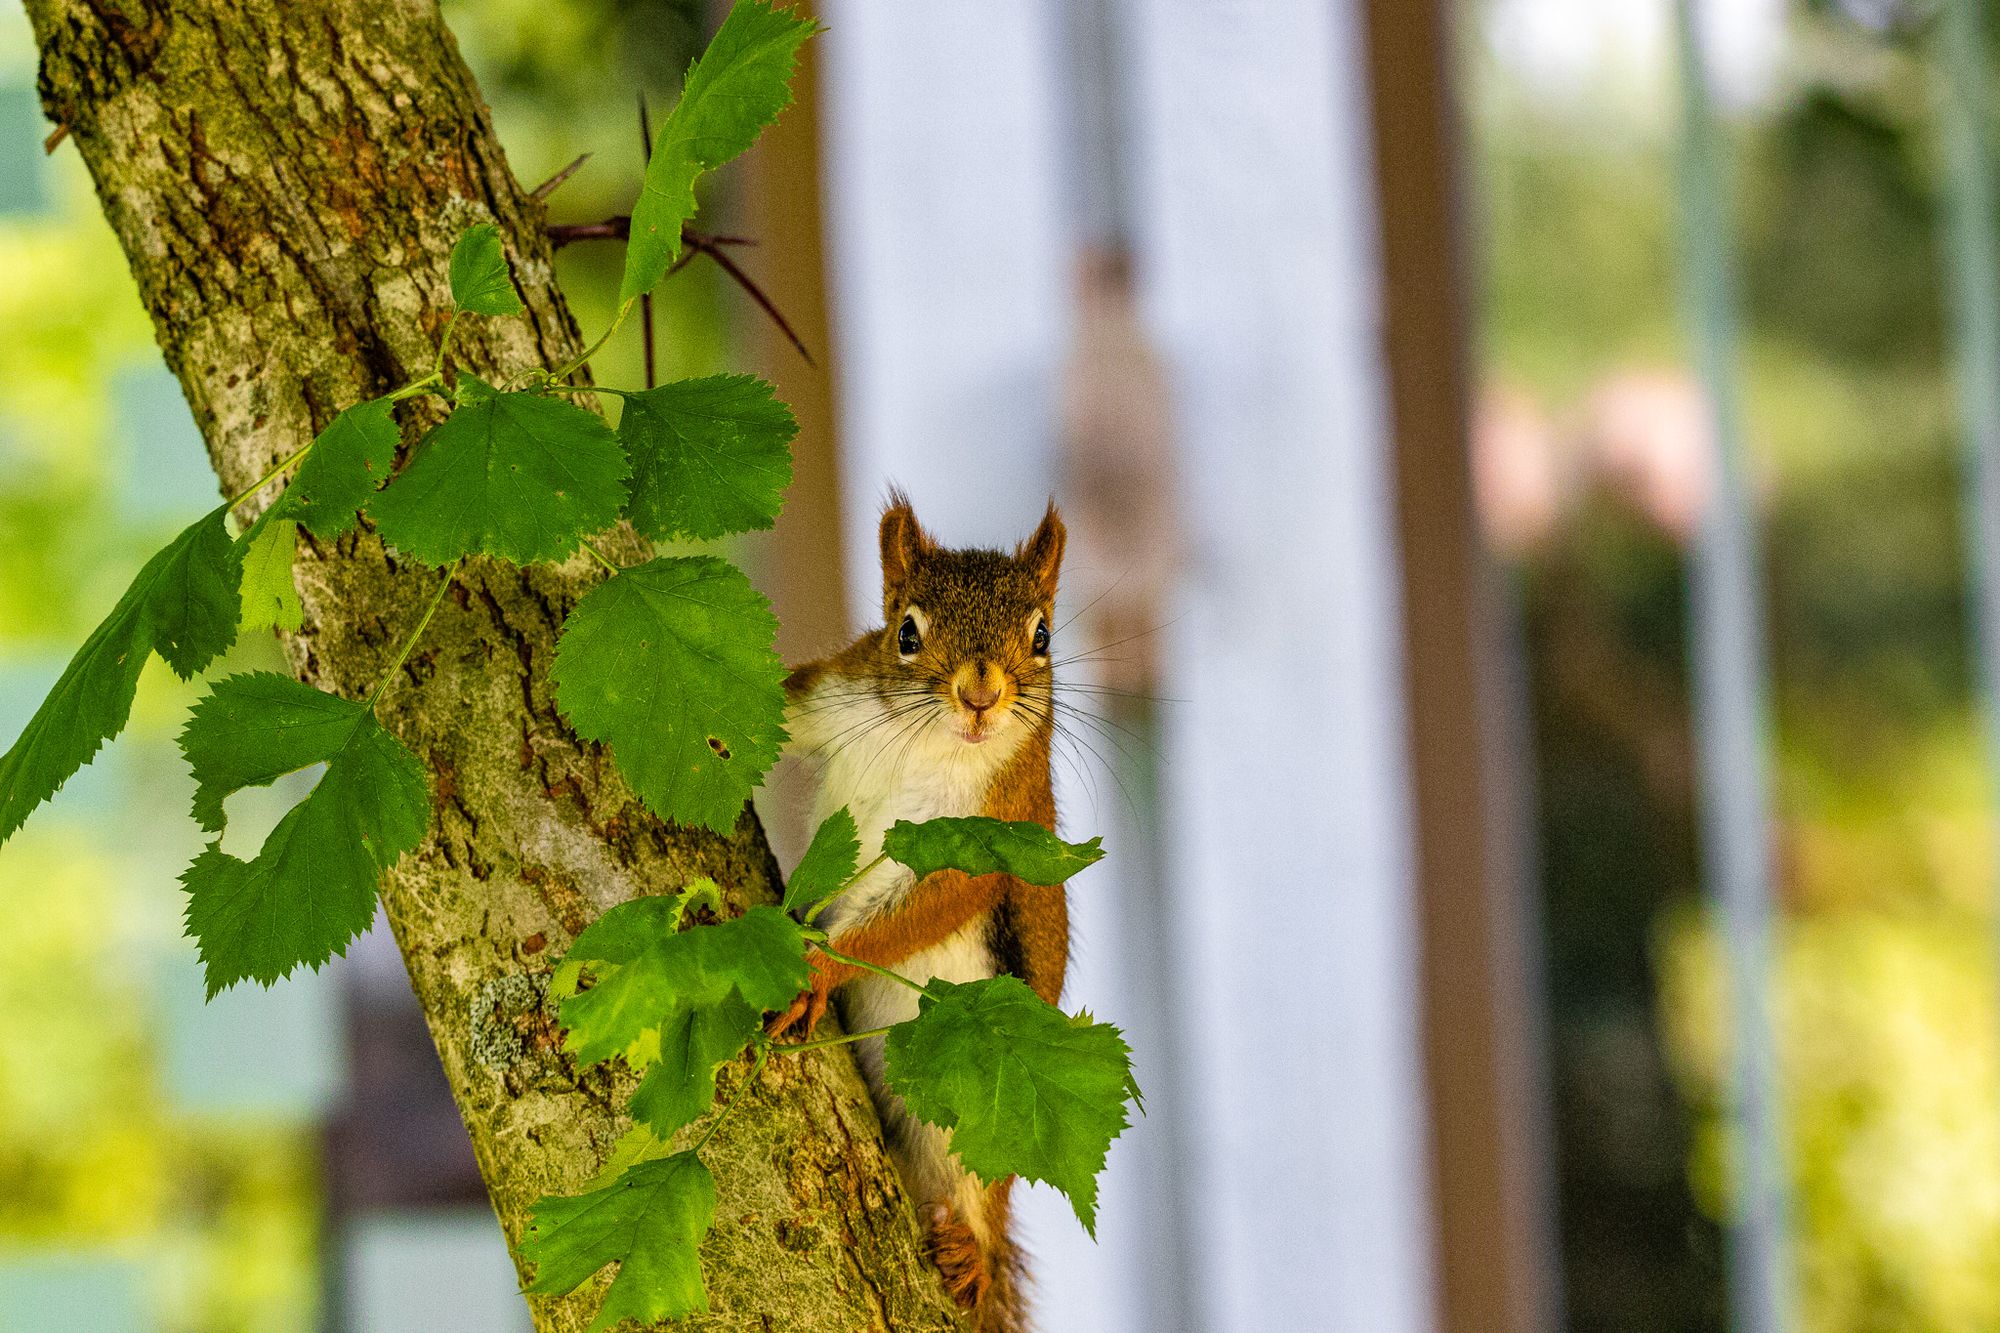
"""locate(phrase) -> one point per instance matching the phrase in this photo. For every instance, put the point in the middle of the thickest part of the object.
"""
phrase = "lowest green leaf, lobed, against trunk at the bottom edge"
(649, 1222)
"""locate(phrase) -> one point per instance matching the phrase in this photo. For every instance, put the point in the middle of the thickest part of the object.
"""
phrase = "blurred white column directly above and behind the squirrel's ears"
(949, 265)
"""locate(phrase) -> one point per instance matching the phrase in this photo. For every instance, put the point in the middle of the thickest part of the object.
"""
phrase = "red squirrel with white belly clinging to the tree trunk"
(947, 710)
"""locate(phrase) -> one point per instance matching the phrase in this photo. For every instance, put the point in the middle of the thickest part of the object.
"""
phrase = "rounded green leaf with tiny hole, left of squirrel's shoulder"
(673, 665)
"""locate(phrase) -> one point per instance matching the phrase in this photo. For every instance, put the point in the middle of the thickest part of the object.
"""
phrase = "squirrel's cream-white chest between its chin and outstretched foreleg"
(885, 764)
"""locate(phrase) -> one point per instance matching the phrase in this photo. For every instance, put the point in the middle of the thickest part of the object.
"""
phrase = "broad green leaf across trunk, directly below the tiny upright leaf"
(507, 473)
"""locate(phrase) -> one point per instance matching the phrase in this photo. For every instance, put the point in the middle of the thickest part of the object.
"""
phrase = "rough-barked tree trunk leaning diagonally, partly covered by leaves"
(287, 179)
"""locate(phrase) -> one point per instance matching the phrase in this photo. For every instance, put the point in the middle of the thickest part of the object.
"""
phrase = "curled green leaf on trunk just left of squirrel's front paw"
(643, 976)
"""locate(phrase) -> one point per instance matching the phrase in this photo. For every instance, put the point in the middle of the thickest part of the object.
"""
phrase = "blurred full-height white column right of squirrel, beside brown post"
(1285, 774)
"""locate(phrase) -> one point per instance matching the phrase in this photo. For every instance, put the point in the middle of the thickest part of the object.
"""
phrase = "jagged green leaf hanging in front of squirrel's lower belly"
(1023, 1088)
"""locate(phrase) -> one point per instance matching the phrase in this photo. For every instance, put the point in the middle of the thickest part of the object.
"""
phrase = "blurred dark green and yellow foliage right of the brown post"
(1887, 994)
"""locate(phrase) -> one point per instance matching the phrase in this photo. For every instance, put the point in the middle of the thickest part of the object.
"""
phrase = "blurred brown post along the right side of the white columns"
(1483, 1030)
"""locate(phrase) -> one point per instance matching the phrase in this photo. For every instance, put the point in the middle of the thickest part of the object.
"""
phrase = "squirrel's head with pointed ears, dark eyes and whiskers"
(969, 627)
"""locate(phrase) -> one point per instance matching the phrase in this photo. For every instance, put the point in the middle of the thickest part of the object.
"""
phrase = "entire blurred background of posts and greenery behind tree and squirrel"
(1523, 465)
